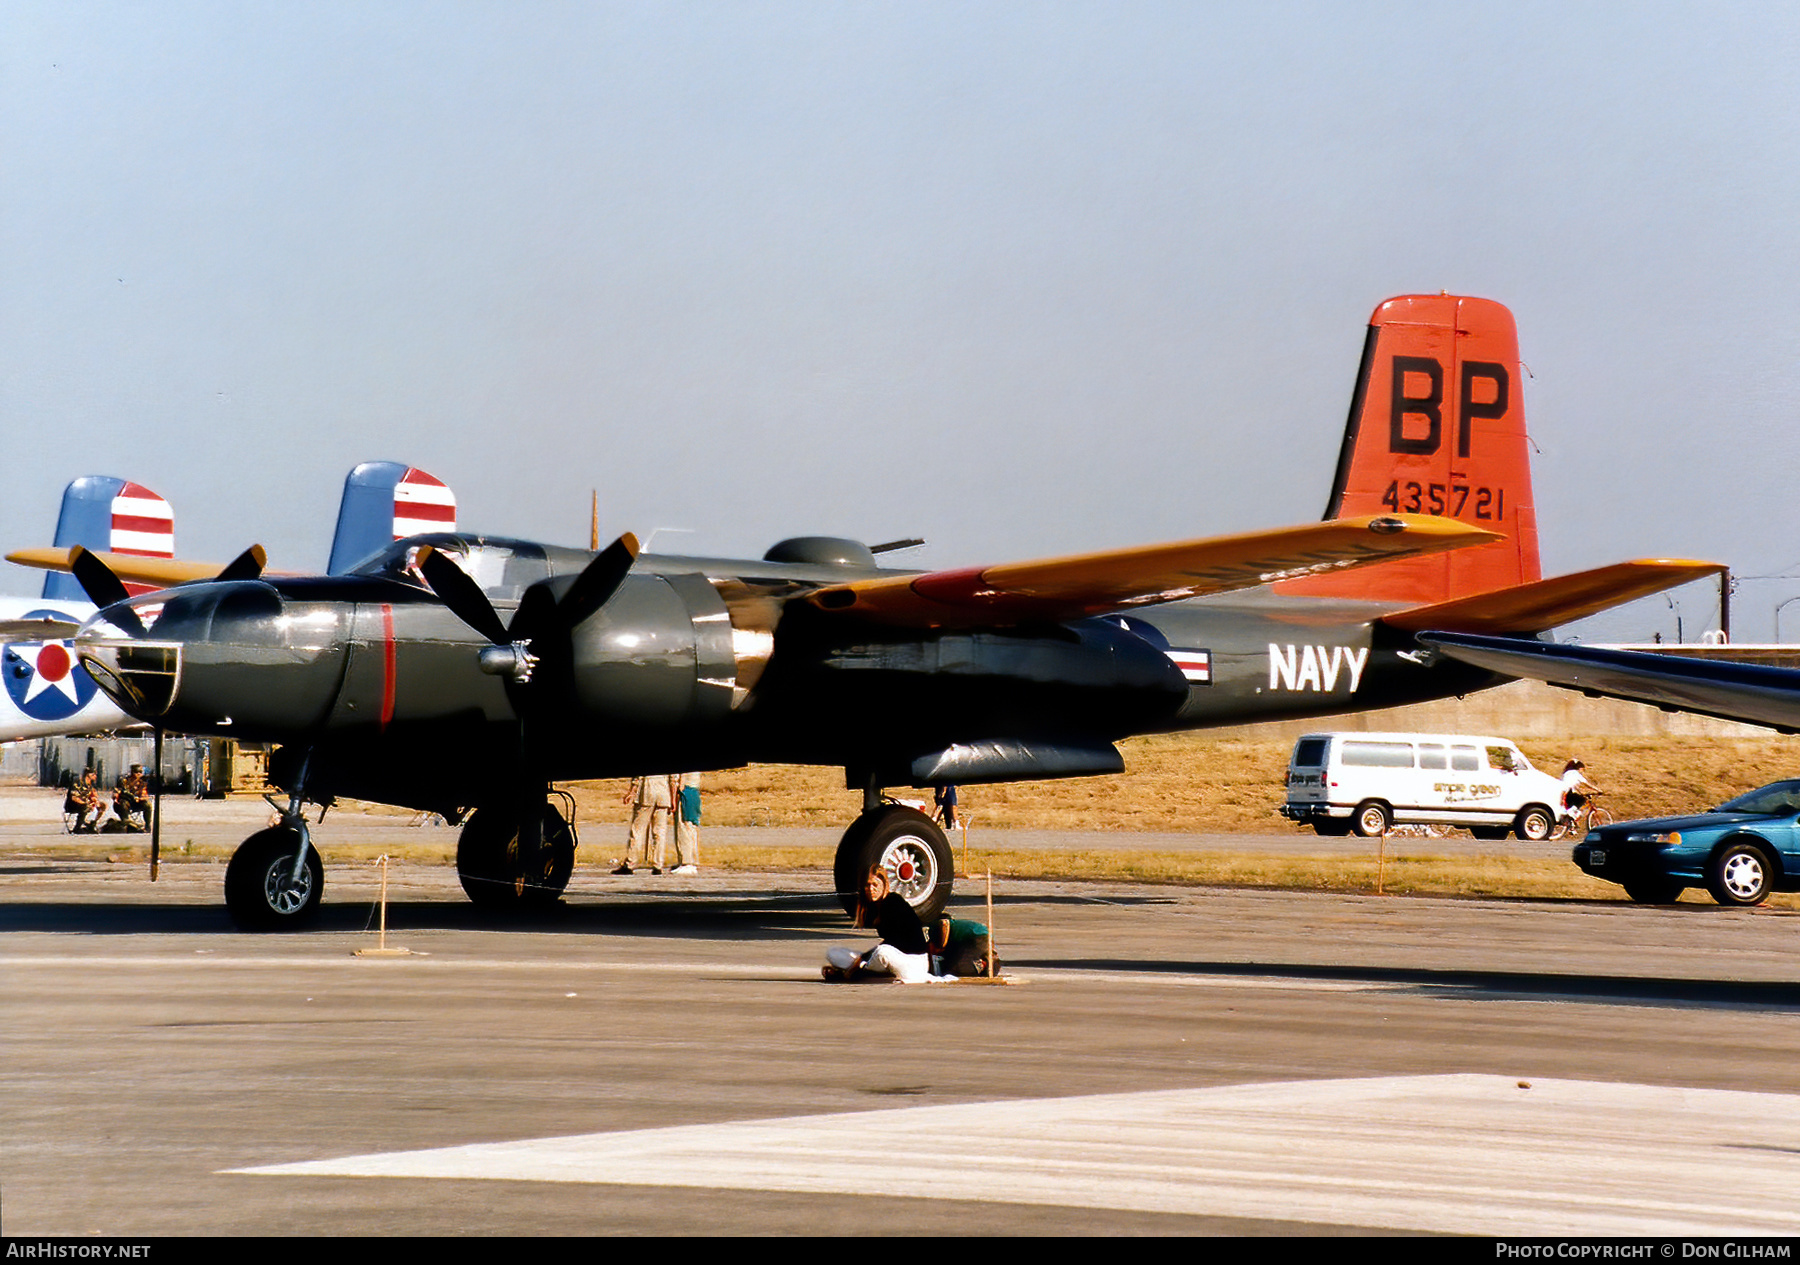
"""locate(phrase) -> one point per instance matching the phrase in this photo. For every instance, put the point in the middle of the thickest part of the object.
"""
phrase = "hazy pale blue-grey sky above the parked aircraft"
(1018, 278)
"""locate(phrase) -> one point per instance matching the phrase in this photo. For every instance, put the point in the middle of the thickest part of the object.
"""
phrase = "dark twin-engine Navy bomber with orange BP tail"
(467, 674)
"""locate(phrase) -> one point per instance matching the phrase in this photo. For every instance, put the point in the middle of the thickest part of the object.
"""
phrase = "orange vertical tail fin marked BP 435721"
(1437, 427)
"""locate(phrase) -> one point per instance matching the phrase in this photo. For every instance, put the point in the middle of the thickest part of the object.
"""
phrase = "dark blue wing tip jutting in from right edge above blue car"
(1707, 686)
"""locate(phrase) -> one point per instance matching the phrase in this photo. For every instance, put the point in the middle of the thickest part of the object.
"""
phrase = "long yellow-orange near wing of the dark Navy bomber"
(1057, 589)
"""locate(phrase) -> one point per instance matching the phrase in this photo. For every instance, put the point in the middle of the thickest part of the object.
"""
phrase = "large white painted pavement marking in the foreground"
(1459, 1154)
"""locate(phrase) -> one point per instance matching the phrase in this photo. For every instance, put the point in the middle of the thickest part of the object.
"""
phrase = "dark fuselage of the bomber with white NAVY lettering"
(705, 665)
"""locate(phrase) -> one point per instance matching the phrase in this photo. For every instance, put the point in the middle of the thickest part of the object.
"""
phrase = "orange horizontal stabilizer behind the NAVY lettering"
(1560, 600)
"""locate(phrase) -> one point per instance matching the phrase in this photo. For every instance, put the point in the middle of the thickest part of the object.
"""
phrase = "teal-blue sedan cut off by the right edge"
(1741, 852)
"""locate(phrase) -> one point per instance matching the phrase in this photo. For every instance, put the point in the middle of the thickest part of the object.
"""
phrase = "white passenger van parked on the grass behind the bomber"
(1372, 782)
